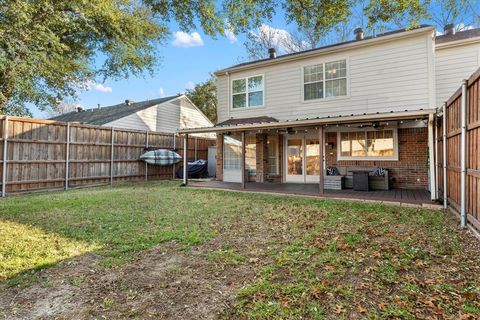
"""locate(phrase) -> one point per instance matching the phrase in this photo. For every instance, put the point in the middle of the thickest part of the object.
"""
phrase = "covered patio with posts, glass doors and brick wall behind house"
(401, 145)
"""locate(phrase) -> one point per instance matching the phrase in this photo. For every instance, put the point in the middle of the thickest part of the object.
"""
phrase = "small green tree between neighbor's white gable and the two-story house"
(204, 96)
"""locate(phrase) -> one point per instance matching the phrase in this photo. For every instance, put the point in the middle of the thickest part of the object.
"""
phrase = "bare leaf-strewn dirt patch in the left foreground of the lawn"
(166, 282)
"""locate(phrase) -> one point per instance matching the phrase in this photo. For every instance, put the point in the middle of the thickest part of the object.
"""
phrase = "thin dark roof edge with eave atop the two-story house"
(281, 57)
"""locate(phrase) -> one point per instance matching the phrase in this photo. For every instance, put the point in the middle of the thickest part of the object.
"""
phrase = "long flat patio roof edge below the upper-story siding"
(353, 118)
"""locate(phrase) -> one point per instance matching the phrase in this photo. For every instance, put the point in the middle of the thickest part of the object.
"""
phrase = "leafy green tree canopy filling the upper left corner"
(50, 49)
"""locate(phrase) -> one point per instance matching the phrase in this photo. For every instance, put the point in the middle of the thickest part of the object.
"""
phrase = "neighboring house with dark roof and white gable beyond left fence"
(168, 114)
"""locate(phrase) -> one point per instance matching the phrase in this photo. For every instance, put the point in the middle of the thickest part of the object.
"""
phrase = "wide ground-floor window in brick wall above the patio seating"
(368, 144)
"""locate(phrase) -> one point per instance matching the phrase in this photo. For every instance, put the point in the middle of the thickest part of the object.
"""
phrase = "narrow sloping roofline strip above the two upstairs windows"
(324, 48)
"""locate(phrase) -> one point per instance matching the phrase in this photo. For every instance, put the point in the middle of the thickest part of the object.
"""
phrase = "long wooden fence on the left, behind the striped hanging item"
(41, 154)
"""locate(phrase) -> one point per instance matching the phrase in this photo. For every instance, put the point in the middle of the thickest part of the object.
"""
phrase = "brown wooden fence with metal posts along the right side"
(461, 119)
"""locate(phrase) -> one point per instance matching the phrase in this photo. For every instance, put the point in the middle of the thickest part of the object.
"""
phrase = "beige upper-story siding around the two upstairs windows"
(390, 76)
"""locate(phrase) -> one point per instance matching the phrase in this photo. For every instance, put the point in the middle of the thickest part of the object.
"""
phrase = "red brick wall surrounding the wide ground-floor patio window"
(411, 169)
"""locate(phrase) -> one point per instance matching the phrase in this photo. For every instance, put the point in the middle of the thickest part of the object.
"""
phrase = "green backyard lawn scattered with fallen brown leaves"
(298, 257)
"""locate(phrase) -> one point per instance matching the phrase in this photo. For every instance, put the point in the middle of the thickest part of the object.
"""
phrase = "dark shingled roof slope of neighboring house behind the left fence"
(100, 116)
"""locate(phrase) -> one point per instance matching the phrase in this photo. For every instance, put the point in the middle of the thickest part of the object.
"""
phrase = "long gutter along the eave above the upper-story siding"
(328, 50)
